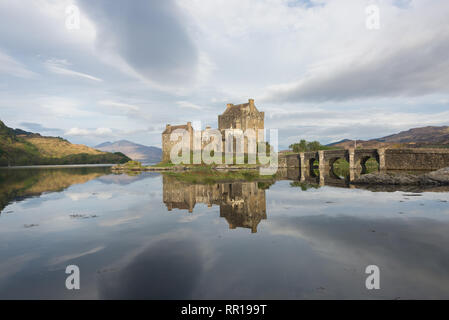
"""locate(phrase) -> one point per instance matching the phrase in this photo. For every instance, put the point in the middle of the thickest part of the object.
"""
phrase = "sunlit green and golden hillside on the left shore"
(18, 147)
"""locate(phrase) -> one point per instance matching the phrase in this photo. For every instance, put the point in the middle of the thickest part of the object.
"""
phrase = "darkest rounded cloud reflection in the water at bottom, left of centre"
(166, 269)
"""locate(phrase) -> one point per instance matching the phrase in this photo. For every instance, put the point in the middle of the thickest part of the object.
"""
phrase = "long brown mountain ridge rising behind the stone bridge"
(431, 136)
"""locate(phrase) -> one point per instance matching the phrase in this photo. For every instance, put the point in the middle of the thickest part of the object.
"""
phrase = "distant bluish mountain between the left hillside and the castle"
(133, 150)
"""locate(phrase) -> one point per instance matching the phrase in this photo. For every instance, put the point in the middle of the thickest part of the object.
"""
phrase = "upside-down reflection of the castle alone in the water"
(242, 204)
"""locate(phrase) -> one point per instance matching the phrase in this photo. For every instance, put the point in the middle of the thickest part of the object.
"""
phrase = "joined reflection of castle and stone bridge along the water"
(243, 204)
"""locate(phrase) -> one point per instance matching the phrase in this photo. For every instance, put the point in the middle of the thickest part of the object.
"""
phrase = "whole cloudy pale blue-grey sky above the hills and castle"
(320, 69)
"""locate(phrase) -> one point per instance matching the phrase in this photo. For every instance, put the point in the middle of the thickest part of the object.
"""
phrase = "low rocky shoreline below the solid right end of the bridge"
(435, 178)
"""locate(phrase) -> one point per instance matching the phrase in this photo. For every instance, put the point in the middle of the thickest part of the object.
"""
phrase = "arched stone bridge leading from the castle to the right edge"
(387, 159)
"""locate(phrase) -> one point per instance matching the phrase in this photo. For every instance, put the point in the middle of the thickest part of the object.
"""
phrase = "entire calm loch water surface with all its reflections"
(151, 236)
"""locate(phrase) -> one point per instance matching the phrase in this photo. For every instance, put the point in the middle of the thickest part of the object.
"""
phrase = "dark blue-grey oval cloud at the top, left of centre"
(148, 36)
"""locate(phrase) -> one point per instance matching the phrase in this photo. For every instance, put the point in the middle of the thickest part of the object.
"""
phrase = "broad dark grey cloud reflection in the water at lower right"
(412, 254)
